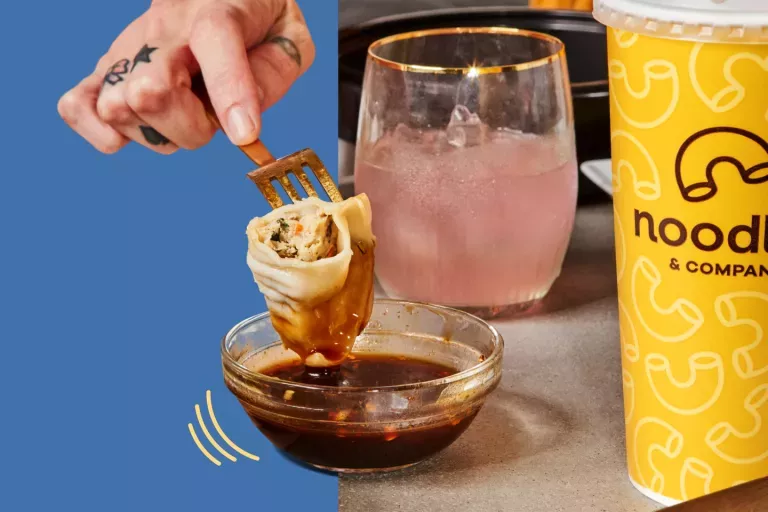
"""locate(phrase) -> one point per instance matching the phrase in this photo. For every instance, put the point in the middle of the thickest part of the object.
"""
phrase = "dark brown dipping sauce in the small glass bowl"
(340, 443)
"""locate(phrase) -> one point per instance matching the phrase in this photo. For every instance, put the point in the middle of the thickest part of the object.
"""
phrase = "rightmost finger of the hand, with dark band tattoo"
(286, 54)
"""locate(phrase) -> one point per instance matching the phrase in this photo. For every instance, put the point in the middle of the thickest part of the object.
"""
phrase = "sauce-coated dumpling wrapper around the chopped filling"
(318, 308)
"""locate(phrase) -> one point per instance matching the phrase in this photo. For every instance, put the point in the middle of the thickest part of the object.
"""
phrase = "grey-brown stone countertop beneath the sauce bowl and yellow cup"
(551, 437)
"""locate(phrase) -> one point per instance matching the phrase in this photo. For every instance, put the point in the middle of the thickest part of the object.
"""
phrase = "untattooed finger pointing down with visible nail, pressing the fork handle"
(218, 43)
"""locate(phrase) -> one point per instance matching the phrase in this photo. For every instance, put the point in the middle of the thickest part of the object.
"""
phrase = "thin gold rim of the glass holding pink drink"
(469, 69)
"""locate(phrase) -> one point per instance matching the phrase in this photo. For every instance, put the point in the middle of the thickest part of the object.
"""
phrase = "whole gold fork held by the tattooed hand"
(272, 170)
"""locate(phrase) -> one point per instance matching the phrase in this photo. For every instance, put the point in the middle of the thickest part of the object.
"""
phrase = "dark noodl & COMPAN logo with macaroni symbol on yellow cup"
(697, 185)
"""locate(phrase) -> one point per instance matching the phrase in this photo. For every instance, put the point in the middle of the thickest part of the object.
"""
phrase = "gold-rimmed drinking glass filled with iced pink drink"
(466, 149)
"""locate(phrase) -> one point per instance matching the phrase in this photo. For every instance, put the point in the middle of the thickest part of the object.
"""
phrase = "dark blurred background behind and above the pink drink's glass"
(363, 22)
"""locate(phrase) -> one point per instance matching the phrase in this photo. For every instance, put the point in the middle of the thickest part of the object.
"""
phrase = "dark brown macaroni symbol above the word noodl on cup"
(755, 175)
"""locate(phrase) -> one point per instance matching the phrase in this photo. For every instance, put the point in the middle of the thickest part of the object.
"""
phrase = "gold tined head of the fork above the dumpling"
(294, 164)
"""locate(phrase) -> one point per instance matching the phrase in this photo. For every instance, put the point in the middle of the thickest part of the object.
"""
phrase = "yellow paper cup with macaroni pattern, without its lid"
(690, 169)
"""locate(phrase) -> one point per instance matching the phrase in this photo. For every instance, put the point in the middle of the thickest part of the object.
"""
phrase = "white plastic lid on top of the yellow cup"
(728, 21)
